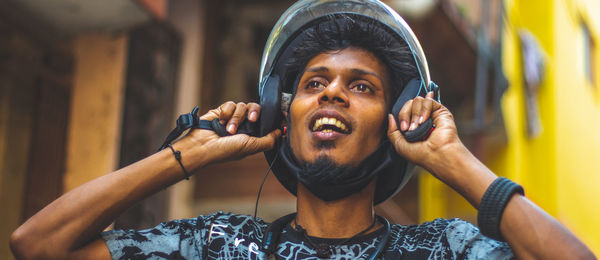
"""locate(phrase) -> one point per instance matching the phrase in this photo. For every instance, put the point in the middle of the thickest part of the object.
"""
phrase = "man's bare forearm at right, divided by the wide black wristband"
(531, 232)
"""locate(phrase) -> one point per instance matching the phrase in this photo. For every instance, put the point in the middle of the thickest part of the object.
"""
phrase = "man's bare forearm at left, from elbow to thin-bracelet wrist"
(81, 214)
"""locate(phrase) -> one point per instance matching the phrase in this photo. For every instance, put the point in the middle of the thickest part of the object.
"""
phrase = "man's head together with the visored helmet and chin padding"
(345, 63)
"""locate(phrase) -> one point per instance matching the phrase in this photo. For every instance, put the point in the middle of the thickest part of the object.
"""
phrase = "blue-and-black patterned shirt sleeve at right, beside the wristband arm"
(466, 242)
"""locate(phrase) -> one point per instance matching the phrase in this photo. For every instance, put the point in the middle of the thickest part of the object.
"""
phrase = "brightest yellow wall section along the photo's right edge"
(577, 122)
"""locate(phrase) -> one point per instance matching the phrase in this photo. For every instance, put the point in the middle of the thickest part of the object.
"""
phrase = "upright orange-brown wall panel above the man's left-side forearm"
(96, 108)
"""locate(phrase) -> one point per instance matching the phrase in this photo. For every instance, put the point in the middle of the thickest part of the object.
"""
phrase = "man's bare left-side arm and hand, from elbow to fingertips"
(74, 221)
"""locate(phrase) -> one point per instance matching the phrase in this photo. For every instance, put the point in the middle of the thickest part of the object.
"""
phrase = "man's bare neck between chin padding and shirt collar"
(336, 219)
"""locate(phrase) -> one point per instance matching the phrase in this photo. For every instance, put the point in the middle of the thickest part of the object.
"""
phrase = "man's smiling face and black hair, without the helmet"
(346, 72)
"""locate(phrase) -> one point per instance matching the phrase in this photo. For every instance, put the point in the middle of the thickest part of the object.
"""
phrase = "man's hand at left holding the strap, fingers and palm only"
(220, 149)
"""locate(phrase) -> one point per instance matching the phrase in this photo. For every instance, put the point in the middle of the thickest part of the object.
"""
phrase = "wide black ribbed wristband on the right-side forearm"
(492, 206)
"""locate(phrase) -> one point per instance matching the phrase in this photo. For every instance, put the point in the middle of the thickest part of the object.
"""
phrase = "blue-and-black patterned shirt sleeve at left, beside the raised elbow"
(177, 239)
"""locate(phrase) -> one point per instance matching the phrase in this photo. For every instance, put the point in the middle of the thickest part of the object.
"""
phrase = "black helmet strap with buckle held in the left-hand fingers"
(192, 121)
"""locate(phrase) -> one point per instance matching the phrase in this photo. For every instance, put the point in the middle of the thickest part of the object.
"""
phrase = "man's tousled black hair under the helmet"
(340, 31)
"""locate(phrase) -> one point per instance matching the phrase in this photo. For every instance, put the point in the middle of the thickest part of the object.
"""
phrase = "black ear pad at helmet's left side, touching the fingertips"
(270, 105)
